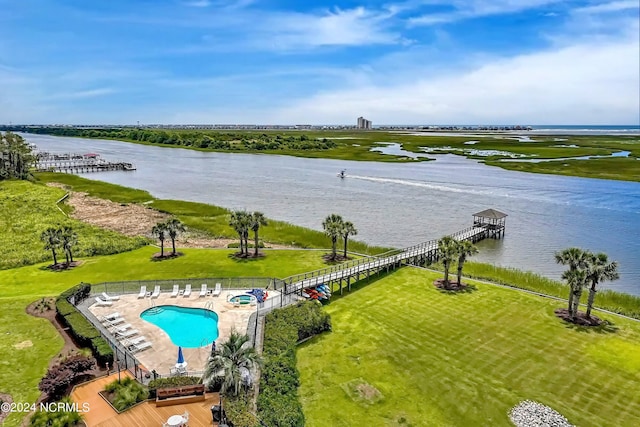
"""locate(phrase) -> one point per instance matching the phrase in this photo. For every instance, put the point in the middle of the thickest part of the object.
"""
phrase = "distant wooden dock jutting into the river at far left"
(78, 163)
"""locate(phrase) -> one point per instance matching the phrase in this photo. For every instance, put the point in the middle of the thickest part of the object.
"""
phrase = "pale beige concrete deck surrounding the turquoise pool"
(163, 353)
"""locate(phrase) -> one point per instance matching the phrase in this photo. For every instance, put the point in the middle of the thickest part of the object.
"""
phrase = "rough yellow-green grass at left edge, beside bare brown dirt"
(26, 210)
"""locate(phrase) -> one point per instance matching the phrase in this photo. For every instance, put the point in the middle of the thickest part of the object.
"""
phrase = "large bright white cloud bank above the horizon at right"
(586, 83)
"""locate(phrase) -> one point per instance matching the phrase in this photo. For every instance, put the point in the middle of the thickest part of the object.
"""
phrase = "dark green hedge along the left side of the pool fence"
(80, 328)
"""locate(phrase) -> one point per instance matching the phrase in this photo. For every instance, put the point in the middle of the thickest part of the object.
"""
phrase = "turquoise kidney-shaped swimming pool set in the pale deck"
(187, 327)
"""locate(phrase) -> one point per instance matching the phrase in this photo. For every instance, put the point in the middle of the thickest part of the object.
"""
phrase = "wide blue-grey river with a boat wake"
(396, 204)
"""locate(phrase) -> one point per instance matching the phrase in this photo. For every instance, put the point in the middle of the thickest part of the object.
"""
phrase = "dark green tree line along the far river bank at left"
(235, 141)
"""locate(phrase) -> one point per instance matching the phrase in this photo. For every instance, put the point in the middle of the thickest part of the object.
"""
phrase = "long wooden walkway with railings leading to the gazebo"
(352, 271)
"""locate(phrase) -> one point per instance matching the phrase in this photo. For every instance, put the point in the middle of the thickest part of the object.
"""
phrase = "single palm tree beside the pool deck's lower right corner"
(230, 360)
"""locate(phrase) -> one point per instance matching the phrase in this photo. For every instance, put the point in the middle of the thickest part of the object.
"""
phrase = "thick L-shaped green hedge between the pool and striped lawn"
(278, 403)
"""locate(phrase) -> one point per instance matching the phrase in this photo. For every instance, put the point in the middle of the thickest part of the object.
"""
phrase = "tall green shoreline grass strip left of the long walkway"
(210, 219)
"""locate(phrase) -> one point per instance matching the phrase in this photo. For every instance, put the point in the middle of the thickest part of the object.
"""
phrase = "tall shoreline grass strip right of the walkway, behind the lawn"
(628, 305)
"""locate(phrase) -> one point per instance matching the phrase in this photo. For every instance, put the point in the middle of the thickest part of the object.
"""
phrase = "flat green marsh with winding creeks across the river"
(359, 143)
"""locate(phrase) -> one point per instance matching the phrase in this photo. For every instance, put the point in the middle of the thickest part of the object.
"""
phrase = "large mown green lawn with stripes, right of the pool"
(465, 359)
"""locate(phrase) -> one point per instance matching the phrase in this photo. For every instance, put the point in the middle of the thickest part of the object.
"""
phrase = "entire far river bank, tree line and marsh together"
(357, 145)
